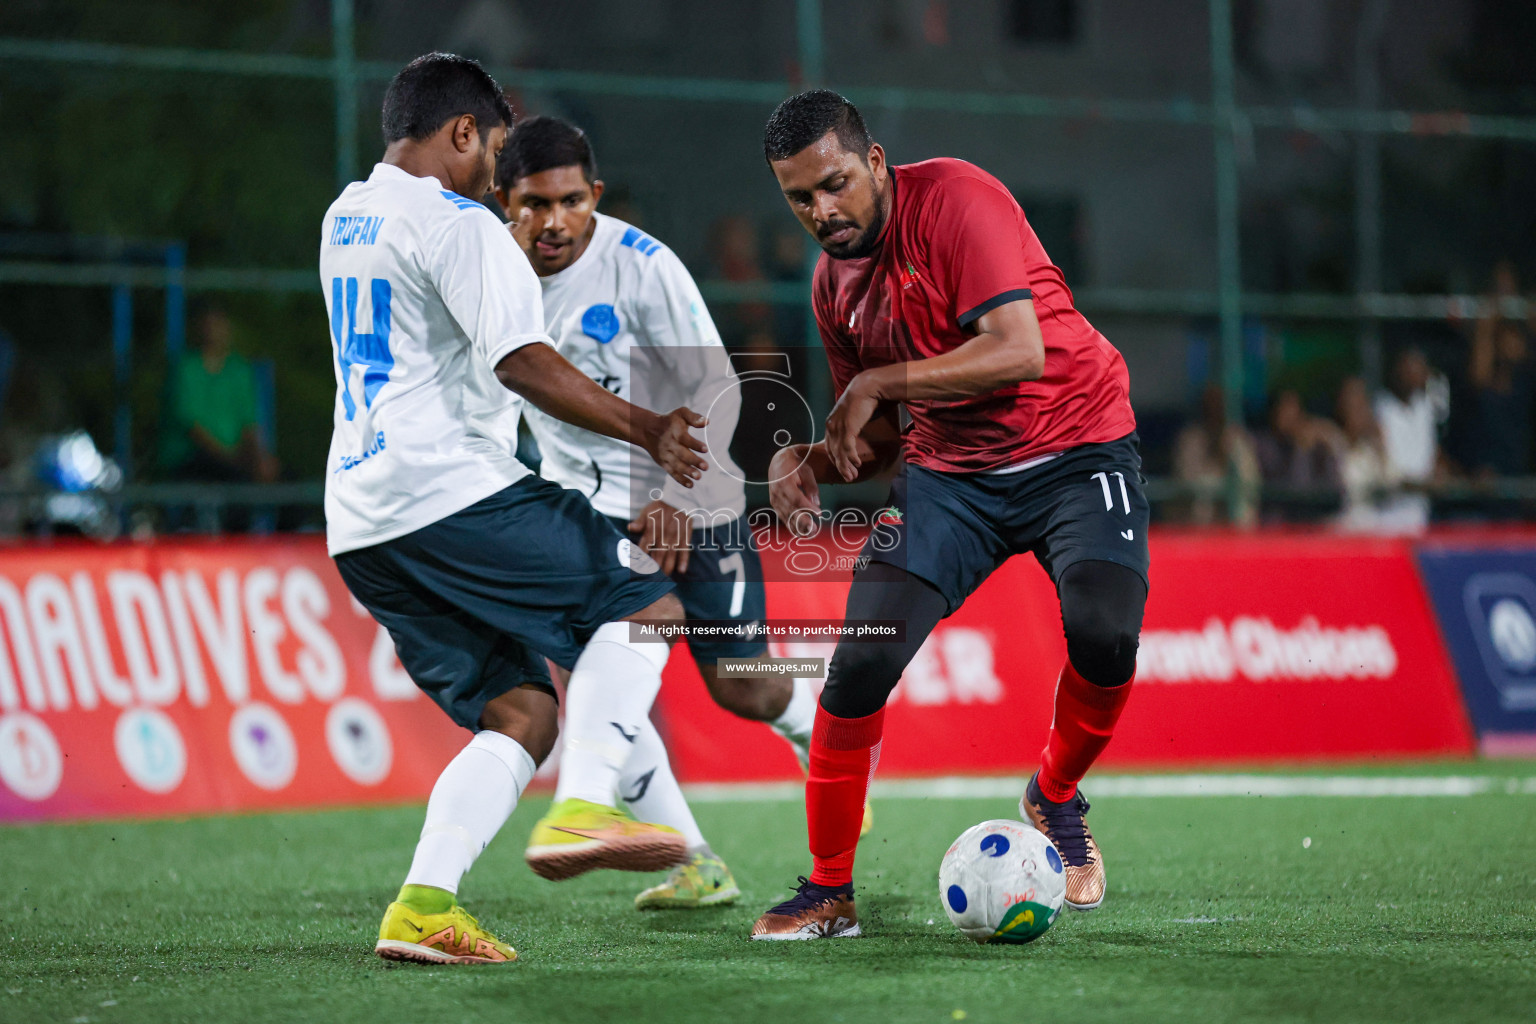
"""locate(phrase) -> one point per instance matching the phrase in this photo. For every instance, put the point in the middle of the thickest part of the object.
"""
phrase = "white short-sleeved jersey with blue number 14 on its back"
(426, 294)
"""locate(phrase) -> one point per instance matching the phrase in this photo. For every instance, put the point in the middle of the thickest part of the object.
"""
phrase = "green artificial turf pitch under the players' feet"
(1402, 910)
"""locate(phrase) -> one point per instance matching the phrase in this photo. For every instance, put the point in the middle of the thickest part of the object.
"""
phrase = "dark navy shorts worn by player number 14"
(477, 601)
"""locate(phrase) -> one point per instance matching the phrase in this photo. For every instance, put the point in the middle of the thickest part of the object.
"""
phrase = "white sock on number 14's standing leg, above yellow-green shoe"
(471, 802)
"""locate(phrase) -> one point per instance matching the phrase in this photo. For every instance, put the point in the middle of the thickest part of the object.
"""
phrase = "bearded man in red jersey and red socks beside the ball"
(936, 296)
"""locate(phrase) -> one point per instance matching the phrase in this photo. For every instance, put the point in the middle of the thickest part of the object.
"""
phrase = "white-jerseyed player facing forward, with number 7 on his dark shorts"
(623, 308)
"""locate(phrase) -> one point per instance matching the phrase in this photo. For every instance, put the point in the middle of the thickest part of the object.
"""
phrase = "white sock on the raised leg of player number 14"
(607, 704)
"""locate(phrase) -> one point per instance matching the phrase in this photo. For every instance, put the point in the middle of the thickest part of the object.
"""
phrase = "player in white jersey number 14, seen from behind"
(478, 569)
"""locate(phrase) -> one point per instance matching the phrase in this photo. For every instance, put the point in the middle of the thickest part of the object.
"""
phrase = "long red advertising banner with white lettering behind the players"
(214, 676)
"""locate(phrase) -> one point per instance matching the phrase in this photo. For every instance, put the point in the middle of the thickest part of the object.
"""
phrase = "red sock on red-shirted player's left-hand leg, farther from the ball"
(844, 755)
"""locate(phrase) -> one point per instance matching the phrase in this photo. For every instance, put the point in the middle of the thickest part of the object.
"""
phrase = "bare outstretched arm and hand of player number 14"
(548, 380)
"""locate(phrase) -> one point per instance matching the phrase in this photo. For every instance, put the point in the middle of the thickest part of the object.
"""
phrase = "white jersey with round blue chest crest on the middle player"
(629, 315)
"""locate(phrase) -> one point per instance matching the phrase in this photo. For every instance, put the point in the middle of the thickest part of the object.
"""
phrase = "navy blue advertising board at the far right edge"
(1486, 600)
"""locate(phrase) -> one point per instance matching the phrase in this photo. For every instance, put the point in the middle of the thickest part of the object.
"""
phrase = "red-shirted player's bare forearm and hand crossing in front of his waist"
(1007, 349)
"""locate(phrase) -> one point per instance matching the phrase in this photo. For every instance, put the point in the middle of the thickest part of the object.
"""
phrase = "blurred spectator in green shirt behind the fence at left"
(211, 431)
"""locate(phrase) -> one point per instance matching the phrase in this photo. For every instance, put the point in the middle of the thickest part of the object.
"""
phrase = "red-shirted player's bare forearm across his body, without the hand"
(1007, 349)
